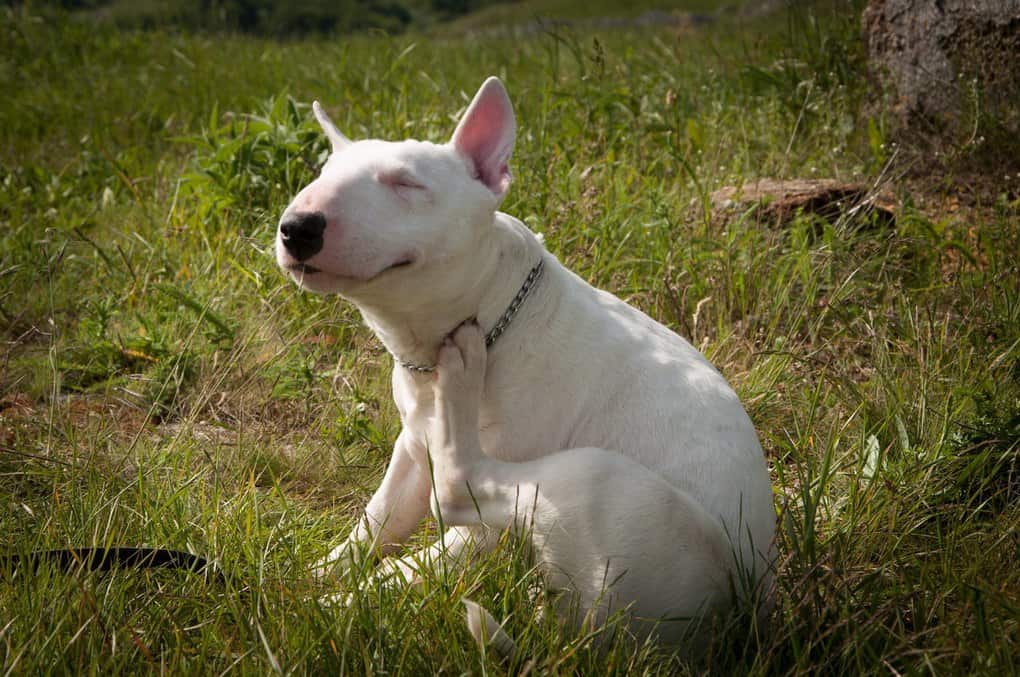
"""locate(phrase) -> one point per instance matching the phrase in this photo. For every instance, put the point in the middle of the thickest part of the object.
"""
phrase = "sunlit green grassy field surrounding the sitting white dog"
(164, 385)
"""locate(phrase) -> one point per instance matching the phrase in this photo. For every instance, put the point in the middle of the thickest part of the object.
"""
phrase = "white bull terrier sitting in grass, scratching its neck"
(627, 456)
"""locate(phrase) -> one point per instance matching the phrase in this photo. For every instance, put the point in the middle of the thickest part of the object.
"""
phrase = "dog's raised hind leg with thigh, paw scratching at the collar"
(605, 529)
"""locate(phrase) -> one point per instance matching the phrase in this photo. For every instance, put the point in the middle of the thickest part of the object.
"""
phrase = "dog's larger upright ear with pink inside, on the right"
(486, 136)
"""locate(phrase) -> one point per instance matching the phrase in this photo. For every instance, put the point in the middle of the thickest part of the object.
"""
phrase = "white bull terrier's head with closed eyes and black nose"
(391, 219)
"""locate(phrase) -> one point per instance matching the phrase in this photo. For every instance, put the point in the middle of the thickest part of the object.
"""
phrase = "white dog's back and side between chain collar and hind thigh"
(598, 373)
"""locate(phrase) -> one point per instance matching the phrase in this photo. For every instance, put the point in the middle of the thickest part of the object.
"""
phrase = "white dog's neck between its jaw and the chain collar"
(500, 269)
